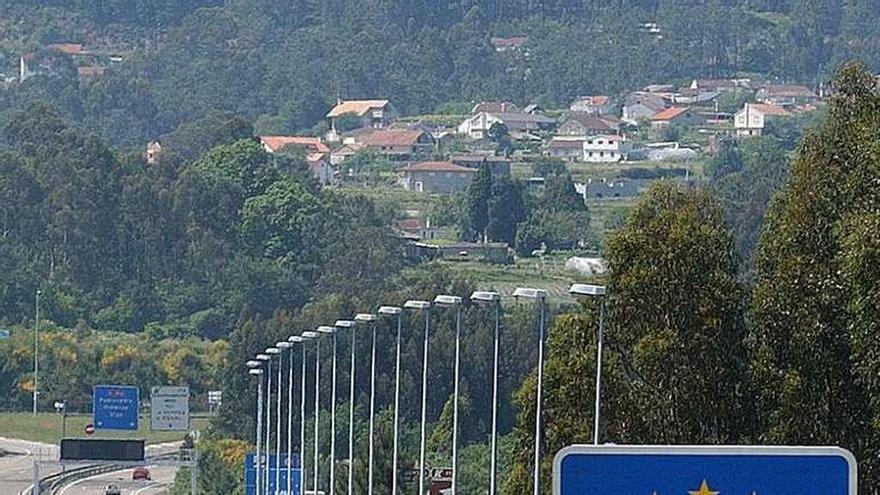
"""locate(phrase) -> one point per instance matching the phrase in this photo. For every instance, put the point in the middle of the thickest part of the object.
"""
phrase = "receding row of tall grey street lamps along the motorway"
(261, 367)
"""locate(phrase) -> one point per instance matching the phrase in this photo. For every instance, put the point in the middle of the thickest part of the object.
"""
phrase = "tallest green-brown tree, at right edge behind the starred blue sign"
(812, 358)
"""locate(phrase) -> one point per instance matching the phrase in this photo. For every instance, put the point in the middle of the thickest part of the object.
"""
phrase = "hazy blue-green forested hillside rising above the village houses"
(282, 64)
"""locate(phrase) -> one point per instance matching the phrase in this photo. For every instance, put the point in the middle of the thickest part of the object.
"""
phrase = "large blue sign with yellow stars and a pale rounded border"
(663, 470)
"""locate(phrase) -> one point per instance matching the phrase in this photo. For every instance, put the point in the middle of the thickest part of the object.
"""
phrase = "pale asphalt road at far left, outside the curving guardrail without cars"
(17, 463)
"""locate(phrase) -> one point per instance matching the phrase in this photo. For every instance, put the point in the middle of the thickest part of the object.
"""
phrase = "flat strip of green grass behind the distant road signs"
(46, 428)
